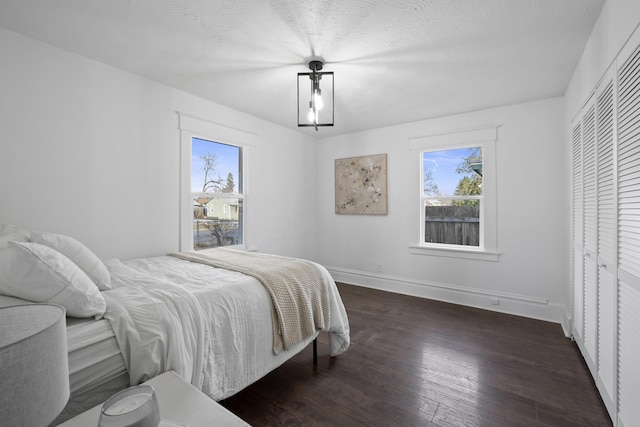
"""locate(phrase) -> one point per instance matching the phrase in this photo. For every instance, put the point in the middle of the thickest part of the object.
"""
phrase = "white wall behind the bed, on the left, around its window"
(92, 151)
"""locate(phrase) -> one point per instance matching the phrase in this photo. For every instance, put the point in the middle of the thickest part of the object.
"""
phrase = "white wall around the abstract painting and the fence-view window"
(532, 202)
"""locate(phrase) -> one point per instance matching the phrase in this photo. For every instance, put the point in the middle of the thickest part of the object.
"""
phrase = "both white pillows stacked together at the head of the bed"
(52, 268)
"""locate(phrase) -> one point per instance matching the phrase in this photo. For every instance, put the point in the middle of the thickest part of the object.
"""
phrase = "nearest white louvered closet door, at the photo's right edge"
(629, 239)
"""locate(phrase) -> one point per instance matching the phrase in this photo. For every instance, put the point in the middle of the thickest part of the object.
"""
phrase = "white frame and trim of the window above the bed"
(193, 127)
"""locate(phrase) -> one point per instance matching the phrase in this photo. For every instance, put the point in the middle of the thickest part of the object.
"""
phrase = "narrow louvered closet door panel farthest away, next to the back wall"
(577, 232)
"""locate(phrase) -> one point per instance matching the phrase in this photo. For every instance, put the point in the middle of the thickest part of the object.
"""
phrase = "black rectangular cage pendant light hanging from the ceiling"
(315, 96)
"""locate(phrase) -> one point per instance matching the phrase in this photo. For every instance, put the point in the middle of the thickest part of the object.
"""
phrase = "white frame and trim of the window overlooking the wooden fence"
(486, 139)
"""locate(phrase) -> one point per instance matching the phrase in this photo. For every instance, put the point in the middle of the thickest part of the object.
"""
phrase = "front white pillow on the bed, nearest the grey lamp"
(39, 273)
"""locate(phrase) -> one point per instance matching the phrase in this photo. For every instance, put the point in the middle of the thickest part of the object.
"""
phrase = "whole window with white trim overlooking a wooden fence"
(457, 195)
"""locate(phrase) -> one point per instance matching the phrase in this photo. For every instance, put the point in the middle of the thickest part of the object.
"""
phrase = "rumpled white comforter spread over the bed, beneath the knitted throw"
(212, 326)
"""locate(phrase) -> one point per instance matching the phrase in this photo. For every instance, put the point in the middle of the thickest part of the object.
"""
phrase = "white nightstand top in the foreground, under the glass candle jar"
(180, 403)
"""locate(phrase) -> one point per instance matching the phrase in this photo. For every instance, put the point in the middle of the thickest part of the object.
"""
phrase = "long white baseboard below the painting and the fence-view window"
(520, 305)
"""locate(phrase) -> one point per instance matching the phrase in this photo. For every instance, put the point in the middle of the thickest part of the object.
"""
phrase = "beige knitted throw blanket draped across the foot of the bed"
(299, 295)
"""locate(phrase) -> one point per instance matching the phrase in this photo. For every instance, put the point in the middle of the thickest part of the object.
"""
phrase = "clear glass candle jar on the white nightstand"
(132, 407)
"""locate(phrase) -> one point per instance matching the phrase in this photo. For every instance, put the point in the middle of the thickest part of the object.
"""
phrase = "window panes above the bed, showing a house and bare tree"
(216, 191)
